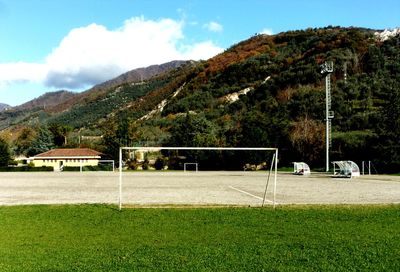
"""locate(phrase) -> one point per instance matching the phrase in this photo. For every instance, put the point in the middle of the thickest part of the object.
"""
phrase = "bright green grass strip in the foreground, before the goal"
(101, 238)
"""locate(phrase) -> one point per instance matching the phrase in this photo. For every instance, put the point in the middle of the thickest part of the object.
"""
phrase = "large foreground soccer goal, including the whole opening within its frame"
(160, 176)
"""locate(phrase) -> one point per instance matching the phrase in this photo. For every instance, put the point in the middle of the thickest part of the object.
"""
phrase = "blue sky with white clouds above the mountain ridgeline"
(50, 45)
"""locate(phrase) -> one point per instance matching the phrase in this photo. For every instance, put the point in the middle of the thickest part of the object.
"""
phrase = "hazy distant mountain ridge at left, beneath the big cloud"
(54, 106)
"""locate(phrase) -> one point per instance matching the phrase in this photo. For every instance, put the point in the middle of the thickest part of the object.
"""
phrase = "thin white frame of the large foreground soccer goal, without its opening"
(274, 163)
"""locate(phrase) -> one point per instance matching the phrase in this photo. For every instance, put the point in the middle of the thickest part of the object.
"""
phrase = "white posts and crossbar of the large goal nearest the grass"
(273, 168)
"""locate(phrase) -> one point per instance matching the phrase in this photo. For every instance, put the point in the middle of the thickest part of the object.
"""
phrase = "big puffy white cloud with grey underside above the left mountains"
(92, 54)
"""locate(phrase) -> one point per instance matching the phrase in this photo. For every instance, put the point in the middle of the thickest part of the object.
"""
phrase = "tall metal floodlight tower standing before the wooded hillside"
(327, 69)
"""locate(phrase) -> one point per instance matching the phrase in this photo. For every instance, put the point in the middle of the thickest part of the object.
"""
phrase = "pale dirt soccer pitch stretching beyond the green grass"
(147, 188)
